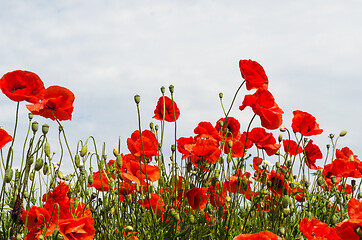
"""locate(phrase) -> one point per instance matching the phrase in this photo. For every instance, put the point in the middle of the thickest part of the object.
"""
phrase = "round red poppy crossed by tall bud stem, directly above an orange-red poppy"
(150, 144)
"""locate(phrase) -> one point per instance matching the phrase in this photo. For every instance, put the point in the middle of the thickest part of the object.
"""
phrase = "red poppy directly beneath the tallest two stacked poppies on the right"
(264, 140)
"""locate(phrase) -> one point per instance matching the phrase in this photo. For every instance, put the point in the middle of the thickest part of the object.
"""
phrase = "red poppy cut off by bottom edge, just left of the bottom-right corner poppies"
(315, 229)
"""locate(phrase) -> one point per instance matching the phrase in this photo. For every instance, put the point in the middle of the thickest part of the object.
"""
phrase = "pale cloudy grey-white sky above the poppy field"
(107, 51)
